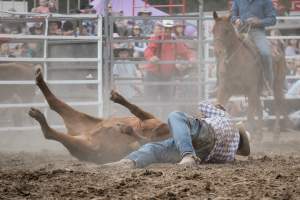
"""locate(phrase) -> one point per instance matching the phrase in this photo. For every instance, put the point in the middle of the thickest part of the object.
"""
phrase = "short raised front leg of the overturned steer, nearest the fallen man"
(141, 114)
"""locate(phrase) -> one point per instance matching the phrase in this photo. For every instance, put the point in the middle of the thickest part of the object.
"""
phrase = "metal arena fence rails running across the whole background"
(45, 59)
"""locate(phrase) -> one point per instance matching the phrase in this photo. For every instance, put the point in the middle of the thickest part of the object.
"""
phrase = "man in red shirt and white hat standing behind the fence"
(163, 73)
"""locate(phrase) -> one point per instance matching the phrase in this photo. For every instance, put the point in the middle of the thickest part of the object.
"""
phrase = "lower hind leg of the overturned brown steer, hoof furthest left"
(77, 145)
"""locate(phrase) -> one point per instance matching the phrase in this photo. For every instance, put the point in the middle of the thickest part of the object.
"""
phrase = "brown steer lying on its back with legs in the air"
(95, 139)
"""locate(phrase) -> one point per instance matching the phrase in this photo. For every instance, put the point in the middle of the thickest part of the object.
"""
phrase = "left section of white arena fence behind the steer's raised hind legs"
(47, 60)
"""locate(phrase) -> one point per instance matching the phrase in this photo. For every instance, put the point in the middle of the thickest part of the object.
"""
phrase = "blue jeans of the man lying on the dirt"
(185, 131)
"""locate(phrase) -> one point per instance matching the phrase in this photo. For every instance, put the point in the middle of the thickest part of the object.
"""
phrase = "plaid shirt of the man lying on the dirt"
(226, 134)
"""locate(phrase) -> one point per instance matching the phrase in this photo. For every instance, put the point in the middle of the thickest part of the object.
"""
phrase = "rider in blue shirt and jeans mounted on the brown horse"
(257, 15)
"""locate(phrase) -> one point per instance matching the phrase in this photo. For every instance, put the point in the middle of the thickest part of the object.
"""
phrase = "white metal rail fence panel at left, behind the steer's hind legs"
(46, 60)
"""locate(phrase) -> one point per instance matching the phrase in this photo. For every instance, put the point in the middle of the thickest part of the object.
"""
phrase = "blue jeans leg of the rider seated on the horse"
(259, 38)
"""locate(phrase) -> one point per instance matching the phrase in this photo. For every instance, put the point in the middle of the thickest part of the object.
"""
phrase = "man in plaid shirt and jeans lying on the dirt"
(209, 138)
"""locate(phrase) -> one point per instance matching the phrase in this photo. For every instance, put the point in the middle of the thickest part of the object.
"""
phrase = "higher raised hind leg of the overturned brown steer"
(75, 121)
